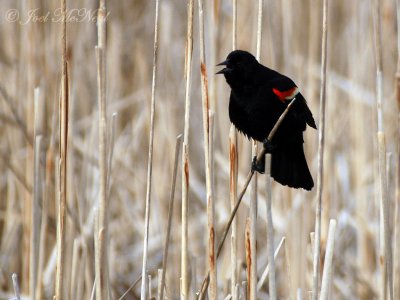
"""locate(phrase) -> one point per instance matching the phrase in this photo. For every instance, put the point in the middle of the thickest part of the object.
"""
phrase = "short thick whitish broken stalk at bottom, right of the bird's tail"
(327, 273)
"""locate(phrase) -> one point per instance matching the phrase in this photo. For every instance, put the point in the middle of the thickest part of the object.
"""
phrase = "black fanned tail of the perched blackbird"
(289, 167)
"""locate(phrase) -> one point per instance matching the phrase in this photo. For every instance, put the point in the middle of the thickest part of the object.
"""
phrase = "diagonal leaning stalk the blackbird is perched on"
(205, 283)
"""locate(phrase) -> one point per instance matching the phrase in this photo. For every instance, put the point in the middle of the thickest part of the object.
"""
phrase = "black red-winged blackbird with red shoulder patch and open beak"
(259, 95)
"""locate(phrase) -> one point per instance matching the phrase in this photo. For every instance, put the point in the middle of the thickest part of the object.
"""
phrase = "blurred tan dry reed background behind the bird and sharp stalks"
(30, 58)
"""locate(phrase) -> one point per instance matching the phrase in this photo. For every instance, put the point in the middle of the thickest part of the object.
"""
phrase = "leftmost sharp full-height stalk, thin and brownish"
(62, 187)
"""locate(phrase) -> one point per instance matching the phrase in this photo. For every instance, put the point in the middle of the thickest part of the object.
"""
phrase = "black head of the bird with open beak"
(239, 68)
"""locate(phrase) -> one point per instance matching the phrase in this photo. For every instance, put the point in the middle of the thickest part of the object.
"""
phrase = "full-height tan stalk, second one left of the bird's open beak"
(185, 157)
